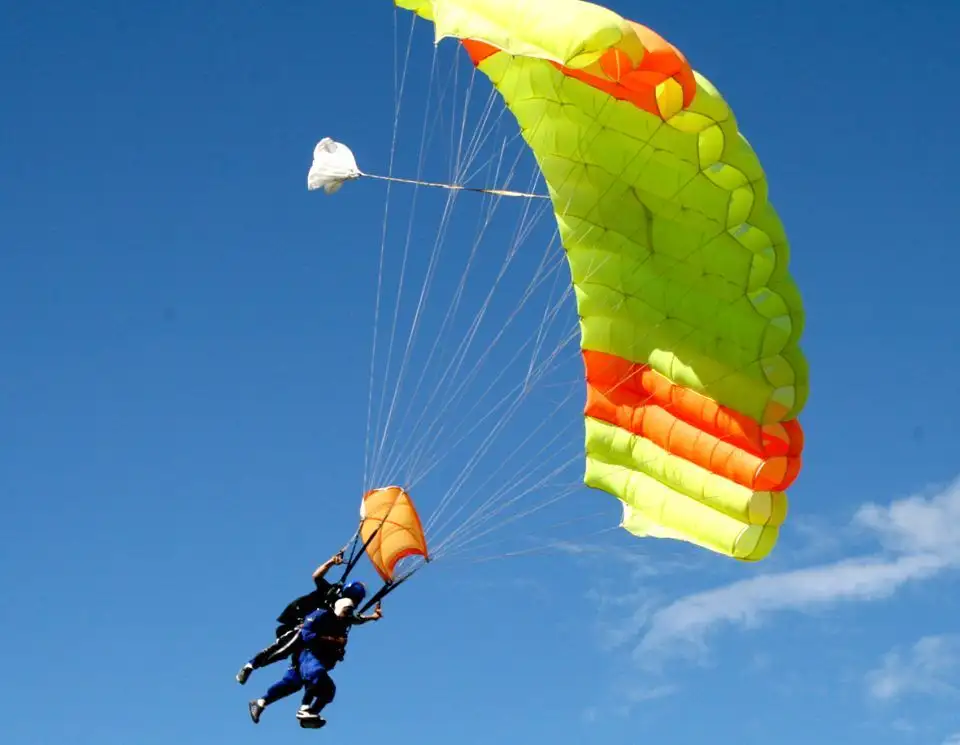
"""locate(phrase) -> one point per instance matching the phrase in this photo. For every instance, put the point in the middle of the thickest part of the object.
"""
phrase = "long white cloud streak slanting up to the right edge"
(921, 538)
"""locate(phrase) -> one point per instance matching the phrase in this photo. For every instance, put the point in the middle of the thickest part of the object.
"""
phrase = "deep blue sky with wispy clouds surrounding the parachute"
(187, 338)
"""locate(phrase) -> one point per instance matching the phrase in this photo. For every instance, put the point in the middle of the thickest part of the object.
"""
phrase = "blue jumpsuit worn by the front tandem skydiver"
(313, 661)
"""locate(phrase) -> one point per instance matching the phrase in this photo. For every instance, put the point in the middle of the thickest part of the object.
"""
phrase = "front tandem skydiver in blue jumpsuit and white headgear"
(321, 645)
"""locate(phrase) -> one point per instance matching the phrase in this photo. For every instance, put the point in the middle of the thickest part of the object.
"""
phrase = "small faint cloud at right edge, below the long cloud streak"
(930, 667)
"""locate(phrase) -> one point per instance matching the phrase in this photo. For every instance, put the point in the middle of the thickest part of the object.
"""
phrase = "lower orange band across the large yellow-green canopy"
(687, 424)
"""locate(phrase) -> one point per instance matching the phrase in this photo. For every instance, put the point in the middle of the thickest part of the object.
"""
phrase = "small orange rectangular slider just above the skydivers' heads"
(388, 514)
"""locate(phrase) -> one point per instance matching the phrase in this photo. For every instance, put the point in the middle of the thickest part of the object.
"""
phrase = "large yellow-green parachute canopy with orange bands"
(689, 320)
